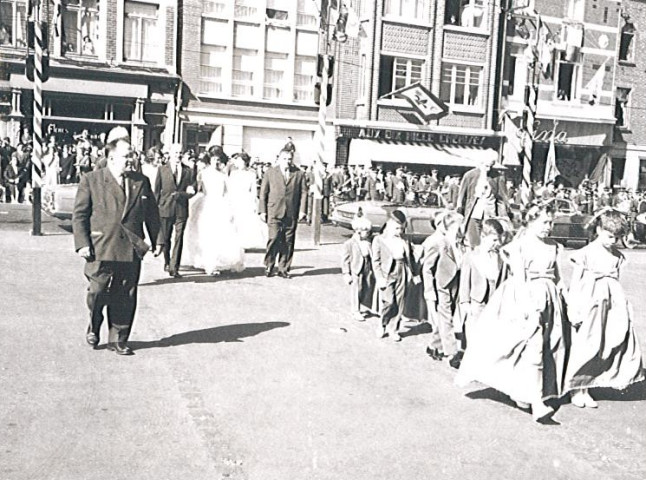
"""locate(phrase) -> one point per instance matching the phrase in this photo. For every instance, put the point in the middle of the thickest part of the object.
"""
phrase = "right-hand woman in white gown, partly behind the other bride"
(243, 196)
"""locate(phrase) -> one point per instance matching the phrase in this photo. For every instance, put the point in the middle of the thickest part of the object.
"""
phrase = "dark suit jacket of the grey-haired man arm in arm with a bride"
(171, 195)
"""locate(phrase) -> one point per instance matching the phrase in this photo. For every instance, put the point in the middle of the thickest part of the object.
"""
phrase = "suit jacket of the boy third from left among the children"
(439, 266)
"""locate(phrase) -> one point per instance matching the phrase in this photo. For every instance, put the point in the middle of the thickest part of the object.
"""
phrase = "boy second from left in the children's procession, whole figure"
(394, 266)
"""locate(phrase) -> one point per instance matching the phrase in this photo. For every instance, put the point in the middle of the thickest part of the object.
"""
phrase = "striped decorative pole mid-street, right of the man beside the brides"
(319, 166)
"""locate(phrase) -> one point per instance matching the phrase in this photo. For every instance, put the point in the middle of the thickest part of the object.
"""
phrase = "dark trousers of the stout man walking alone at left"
(113, 285)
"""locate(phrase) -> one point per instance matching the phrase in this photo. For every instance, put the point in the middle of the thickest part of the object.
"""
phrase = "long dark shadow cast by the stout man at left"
(226, 333)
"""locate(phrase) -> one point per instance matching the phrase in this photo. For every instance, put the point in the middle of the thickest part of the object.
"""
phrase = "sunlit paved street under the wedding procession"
(245, 377)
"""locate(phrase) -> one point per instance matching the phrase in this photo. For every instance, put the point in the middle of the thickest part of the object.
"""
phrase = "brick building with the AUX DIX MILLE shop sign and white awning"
(450, 47)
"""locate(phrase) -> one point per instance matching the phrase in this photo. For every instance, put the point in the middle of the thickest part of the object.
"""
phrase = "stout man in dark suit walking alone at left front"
(112, 205)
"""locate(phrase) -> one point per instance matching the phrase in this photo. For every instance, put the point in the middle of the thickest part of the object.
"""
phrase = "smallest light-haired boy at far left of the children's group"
(356, 266)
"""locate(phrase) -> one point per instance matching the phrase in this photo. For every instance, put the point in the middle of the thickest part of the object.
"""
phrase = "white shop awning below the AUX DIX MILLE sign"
(366, 152)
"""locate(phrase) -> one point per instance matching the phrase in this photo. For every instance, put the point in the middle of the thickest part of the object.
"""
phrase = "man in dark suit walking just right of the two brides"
(280, 198)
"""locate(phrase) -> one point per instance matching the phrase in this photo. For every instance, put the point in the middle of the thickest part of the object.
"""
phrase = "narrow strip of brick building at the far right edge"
(629, 154)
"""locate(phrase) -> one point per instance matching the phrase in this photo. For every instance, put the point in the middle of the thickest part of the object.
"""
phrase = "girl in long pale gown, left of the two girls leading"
(517, 346)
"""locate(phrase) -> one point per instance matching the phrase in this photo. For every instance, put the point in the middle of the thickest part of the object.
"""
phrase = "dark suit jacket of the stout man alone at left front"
(111, 223)
